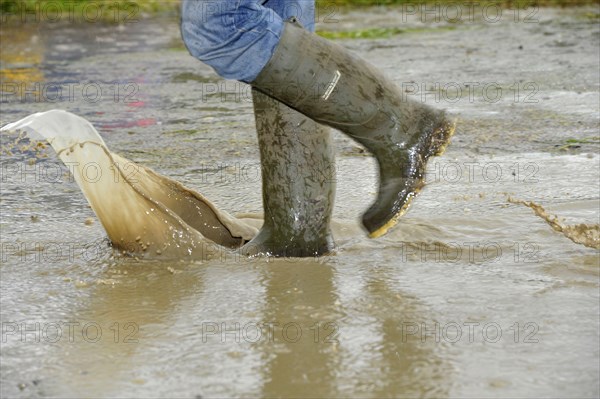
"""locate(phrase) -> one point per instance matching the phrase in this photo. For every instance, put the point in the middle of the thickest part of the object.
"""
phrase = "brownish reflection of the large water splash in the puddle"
(133, 305)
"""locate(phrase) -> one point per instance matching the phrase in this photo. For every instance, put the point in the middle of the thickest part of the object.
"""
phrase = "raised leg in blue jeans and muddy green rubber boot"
(325, 82)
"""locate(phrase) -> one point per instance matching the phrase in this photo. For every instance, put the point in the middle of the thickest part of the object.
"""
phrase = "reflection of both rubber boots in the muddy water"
(352, 340)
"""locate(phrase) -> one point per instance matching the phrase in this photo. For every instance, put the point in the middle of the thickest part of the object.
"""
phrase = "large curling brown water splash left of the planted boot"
(141, 211)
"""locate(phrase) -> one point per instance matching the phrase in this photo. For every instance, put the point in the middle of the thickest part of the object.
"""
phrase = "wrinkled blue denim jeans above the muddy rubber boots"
(238, 37)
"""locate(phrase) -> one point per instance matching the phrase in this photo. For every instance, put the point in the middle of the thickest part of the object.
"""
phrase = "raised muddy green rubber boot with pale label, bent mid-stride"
(332, 86)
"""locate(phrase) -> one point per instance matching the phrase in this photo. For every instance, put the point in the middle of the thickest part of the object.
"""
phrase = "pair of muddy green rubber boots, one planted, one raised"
(310, 81)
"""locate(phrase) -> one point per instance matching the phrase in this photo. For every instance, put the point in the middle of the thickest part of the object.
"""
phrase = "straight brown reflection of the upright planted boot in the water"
(303, 360)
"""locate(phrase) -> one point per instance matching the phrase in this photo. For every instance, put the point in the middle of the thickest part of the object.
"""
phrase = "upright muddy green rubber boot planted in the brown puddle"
(298, 174)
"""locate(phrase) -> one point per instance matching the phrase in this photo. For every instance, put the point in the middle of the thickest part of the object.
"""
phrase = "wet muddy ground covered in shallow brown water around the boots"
(473, 295)
